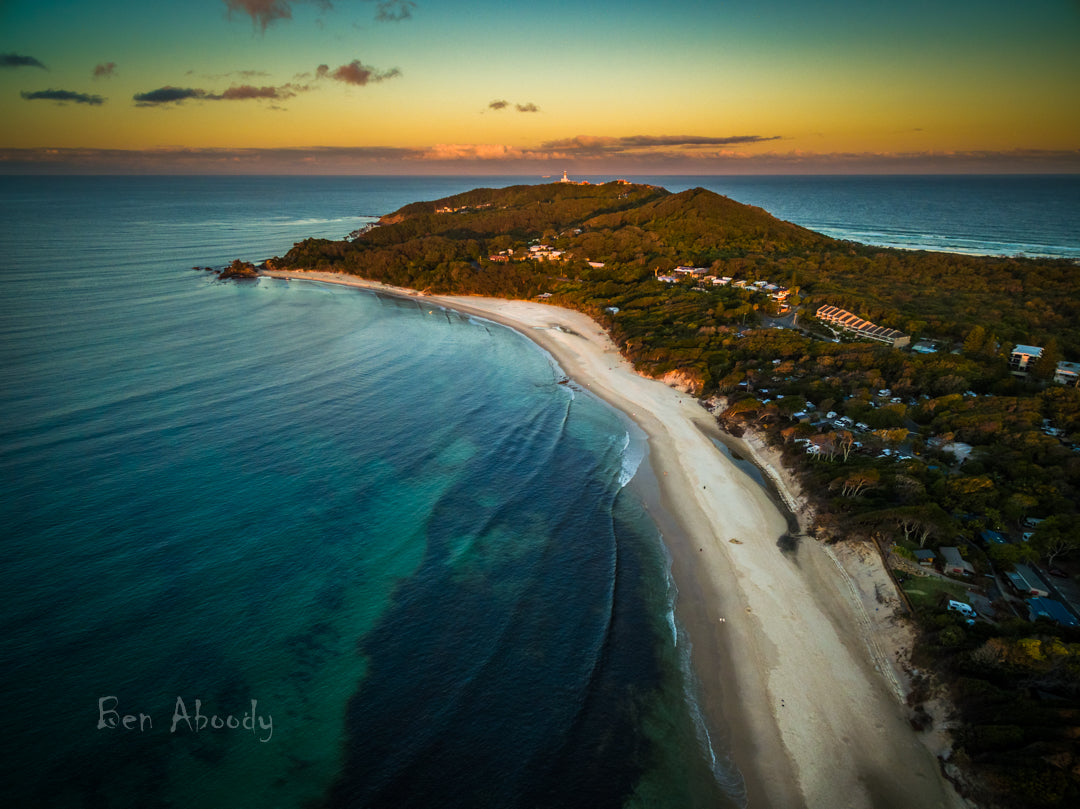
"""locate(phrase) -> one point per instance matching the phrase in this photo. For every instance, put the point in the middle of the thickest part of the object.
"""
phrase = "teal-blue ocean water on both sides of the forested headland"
(283, 544)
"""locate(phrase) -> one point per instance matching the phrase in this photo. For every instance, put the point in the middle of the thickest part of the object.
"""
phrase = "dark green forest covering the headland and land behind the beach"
(906, 450)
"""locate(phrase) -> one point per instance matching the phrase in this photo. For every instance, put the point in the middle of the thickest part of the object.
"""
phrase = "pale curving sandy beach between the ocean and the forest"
(788, 644)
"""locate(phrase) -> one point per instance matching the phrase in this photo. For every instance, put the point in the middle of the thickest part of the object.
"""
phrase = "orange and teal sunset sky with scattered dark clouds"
(496, 87)
